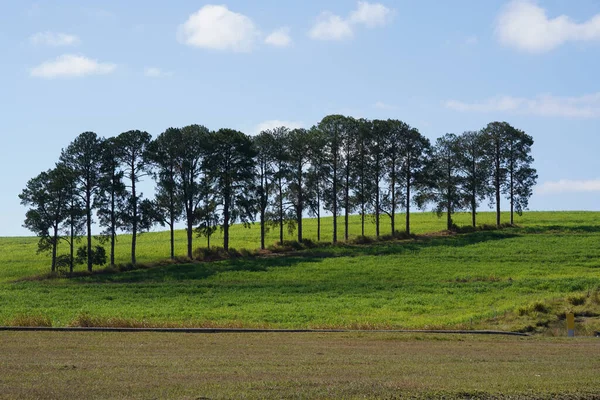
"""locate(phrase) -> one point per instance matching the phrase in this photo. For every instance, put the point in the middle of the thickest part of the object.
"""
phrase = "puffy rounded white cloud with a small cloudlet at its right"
(215, 27)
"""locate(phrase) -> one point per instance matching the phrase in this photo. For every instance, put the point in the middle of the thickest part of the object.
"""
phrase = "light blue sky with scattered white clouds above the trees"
(111, 66)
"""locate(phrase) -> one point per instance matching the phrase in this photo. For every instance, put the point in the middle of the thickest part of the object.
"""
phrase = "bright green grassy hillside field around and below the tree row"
(521, 278)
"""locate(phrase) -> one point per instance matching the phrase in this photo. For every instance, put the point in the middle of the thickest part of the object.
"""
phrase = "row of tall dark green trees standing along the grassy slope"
(213, 179)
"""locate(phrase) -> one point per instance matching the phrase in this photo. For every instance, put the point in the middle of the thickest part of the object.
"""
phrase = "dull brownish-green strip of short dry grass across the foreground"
(80, 365)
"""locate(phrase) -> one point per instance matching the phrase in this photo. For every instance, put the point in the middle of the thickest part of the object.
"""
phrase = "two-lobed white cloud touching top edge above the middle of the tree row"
(333, 27)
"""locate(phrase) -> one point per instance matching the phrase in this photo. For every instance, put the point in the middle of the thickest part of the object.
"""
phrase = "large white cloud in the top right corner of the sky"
(526, 26)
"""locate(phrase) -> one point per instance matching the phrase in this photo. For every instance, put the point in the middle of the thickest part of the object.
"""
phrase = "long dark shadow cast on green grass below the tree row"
(203, 270)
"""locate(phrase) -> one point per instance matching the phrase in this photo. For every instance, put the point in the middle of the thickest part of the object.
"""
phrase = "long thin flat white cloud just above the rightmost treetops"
(587, 106)
